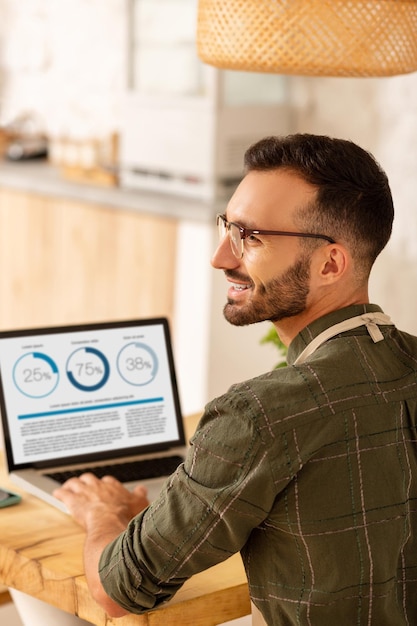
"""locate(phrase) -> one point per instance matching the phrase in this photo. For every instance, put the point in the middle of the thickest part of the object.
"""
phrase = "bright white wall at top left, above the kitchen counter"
(64, 61)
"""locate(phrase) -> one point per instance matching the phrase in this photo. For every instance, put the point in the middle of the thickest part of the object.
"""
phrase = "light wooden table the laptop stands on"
(41, 554)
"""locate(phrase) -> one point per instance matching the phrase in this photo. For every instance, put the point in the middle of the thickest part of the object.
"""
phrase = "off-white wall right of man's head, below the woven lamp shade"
(381, 115)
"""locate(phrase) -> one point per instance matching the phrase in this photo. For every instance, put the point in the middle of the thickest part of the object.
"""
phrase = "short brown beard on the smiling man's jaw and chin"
(280, 298)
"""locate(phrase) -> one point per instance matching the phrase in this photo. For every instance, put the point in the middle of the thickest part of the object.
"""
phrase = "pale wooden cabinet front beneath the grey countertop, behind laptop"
(67, 262)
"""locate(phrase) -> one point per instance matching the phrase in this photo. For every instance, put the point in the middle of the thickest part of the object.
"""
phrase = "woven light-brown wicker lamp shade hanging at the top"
(309, 37)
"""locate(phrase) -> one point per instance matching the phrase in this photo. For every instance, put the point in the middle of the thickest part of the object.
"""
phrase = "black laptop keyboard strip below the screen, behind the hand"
(128, 471)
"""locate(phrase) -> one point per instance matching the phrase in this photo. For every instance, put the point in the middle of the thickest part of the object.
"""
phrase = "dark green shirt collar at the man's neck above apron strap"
(311, 331)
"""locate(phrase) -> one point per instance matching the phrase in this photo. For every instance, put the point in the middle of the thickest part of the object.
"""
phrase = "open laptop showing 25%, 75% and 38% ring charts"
(99, 397)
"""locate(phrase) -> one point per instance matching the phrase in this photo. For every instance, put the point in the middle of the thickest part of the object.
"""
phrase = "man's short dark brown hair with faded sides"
(353, 203)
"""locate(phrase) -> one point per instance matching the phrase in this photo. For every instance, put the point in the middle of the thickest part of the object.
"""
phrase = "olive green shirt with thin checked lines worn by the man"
(310, 471)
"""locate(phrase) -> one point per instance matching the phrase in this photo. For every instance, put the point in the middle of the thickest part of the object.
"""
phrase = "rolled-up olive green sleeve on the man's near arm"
(204, 514)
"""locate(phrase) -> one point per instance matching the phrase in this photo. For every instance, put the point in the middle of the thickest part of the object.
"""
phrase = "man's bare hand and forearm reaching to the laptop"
(103, 508)
